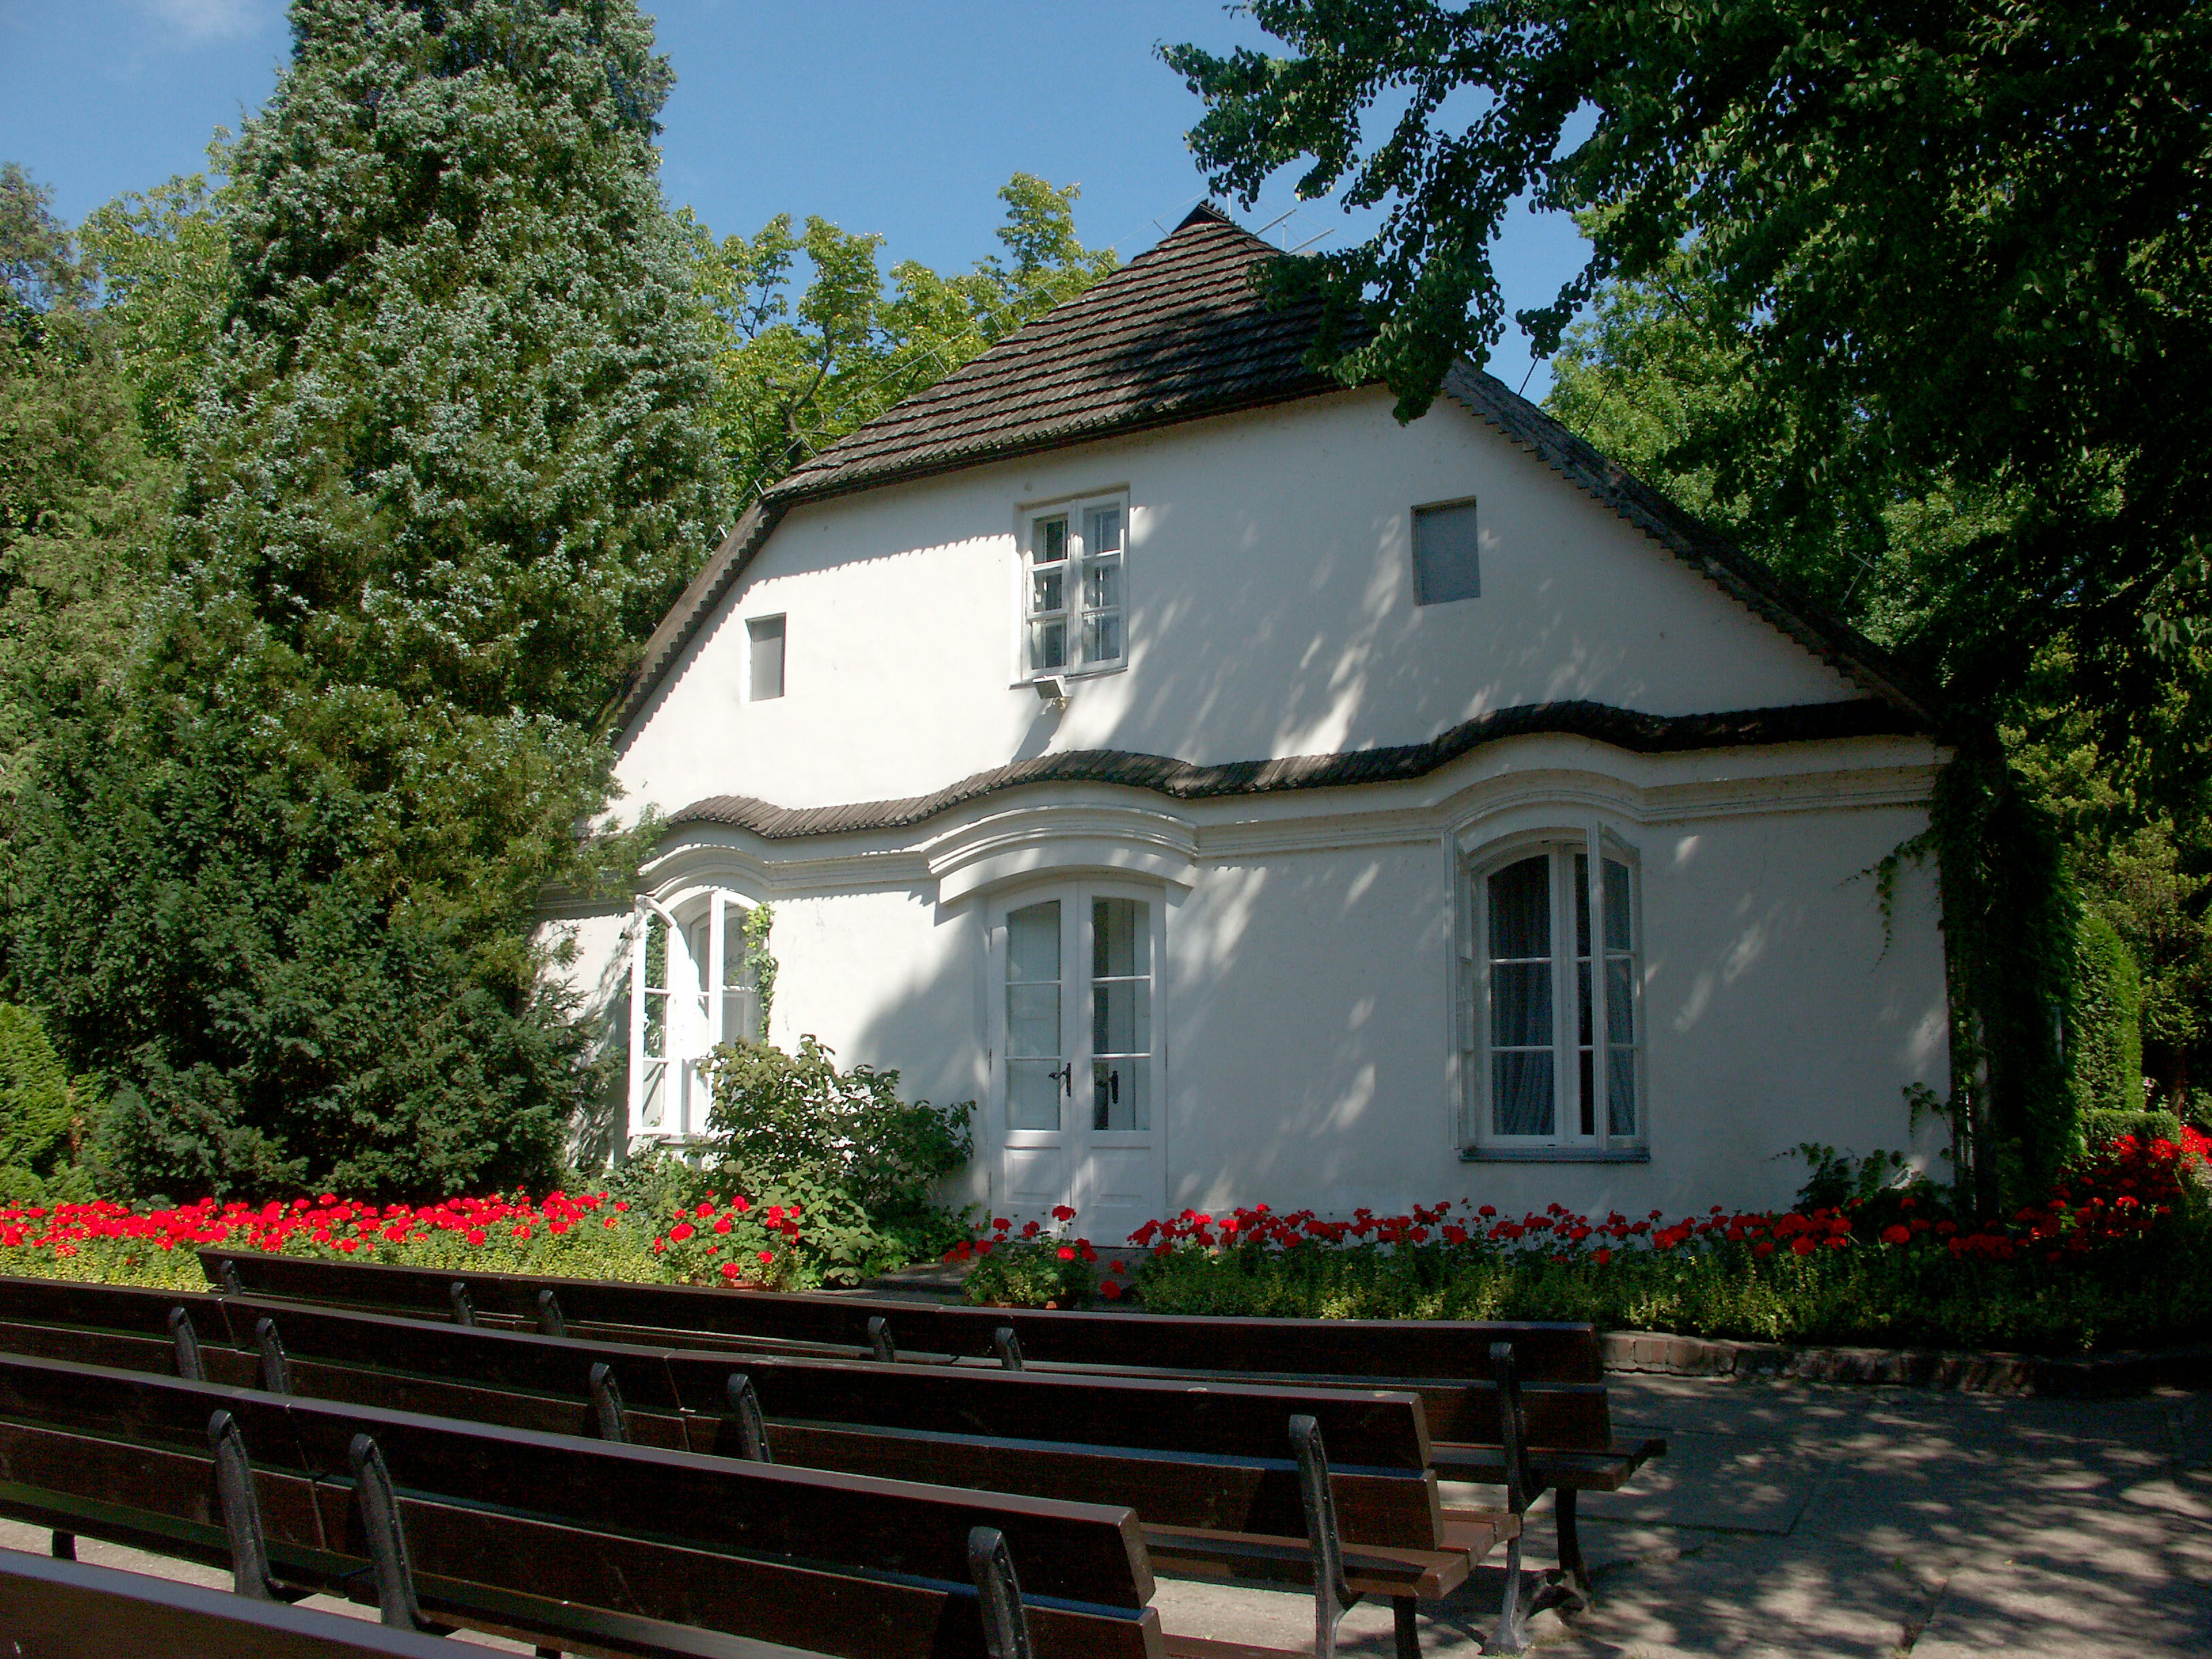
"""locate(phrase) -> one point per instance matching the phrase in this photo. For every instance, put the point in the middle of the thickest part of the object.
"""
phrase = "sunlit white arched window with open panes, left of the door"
(691, 990)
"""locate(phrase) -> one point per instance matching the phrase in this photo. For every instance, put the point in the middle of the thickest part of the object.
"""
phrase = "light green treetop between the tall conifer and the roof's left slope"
(797, 377)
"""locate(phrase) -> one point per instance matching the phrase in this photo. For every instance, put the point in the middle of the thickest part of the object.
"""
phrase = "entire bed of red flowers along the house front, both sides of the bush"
(2114, 1258)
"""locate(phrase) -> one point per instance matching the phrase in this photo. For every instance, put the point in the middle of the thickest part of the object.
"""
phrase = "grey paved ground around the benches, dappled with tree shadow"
(1808, 1521)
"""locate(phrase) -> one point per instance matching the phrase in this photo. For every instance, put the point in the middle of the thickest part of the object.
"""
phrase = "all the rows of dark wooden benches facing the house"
(1056, 1450)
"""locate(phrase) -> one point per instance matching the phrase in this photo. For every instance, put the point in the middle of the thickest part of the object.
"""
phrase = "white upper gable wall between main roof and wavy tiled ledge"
(1271, 612)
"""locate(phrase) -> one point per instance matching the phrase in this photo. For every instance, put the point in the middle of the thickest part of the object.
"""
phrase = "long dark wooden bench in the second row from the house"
(1213, 1470)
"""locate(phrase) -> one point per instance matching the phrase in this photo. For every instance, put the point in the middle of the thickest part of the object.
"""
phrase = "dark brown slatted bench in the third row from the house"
(596, 1547)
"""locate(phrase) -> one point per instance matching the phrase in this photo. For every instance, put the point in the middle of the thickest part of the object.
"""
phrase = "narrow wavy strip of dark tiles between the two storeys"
(1187, 782)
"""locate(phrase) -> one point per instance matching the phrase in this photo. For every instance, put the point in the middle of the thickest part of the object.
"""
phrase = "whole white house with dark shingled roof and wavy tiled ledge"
(1246, 797)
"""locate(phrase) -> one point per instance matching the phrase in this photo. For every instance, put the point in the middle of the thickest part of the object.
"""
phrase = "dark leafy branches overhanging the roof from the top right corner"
(1950, 255)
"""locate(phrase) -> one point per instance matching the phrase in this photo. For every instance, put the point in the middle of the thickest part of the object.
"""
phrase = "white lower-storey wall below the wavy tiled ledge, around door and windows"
(1306, 999)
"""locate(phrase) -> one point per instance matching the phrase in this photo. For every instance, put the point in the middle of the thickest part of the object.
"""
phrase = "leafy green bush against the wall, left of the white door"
(844, 1149)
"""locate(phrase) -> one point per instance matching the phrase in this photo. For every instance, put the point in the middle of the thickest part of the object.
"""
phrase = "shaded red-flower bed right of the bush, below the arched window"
(2114, 1258)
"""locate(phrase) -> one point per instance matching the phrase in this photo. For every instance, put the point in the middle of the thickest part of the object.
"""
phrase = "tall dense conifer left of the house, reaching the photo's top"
(446, 470)
